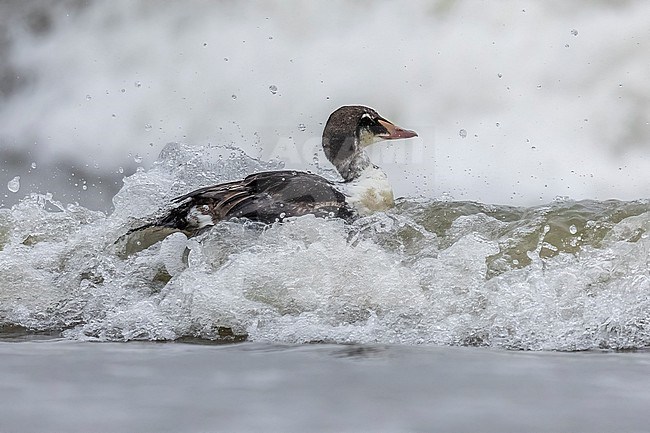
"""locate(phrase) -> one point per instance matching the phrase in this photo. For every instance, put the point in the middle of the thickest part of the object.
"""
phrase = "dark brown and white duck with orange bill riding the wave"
(274, 195)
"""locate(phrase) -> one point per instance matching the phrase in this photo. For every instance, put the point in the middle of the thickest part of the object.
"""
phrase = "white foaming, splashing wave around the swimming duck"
(564, 276)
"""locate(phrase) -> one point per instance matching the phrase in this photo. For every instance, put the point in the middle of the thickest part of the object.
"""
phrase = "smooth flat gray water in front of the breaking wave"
(57, 386)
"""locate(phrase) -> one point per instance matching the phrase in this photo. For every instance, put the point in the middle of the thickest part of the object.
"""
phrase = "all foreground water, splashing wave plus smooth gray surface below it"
(447, 316)
